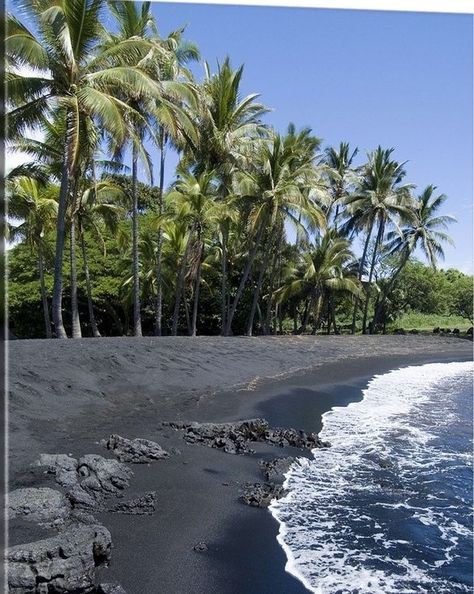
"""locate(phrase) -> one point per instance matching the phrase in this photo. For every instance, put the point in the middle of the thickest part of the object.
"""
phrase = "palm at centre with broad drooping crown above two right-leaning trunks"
(277, 190)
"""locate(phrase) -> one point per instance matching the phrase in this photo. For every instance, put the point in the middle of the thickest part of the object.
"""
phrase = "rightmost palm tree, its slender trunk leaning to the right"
(422, 228)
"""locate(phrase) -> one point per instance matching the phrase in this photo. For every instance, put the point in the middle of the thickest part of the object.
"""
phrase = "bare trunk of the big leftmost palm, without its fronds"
(60, 231)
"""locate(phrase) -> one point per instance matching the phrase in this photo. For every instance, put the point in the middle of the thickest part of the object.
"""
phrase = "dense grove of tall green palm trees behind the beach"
(269, 215)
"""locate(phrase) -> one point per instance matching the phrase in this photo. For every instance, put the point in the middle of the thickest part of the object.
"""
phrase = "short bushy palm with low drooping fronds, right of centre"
(323, 269)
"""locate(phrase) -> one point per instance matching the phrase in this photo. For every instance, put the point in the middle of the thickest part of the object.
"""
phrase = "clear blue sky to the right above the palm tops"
(398, 79)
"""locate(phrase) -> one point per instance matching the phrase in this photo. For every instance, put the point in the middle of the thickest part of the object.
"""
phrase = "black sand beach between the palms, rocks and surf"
(66, 396)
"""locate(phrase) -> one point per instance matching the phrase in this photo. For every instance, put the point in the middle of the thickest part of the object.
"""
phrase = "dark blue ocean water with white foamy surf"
(388, 507)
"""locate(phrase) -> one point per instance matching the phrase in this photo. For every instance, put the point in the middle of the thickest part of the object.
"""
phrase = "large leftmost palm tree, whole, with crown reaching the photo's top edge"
(73, 73)
